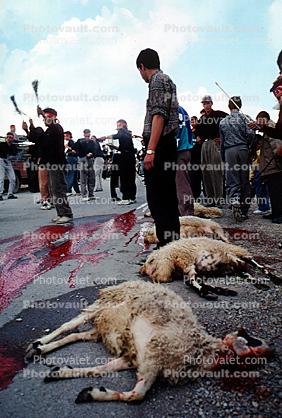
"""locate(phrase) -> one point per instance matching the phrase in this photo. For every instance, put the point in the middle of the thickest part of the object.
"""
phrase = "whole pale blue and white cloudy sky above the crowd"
(83, 53)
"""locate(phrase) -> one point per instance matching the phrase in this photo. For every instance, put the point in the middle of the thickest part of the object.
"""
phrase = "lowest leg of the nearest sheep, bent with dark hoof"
(136, 394)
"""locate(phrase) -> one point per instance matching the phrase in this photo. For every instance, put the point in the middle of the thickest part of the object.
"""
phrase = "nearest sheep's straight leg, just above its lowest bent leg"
(69, 373)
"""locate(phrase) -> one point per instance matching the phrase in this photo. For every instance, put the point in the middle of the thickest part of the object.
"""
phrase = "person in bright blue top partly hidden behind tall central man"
(183, 184)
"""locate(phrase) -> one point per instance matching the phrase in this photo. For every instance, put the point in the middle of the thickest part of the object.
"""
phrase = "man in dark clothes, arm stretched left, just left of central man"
(126, 162)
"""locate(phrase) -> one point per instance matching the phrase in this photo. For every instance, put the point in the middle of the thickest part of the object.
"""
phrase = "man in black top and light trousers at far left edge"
(7, 149)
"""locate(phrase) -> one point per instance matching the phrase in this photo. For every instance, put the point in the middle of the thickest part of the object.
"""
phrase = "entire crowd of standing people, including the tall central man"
(222, 159)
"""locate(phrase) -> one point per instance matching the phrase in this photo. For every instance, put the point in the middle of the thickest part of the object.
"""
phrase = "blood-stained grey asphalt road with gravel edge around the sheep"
(49, 273)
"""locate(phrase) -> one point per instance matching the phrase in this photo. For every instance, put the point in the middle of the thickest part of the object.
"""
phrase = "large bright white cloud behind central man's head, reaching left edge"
(87, 68)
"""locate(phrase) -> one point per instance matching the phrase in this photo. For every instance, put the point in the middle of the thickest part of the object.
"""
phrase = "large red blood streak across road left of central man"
(33, 254)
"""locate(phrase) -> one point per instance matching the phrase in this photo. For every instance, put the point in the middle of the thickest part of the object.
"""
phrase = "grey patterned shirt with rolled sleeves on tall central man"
(162, 101)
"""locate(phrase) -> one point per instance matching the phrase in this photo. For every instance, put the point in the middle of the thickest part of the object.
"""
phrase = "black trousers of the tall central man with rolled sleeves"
(161, 190)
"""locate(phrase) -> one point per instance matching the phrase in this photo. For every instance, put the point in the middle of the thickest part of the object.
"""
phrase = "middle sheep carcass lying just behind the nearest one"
(192, 256)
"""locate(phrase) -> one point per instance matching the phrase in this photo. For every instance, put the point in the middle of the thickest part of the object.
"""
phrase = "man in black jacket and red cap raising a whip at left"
(53, 157)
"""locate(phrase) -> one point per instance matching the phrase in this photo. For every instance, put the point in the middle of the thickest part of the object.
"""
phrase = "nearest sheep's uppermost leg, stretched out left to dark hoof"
(68, 326)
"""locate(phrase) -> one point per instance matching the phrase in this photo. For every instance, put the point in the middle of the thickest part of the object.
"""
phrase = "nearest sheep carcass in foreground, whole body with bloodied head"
(149, 328)
